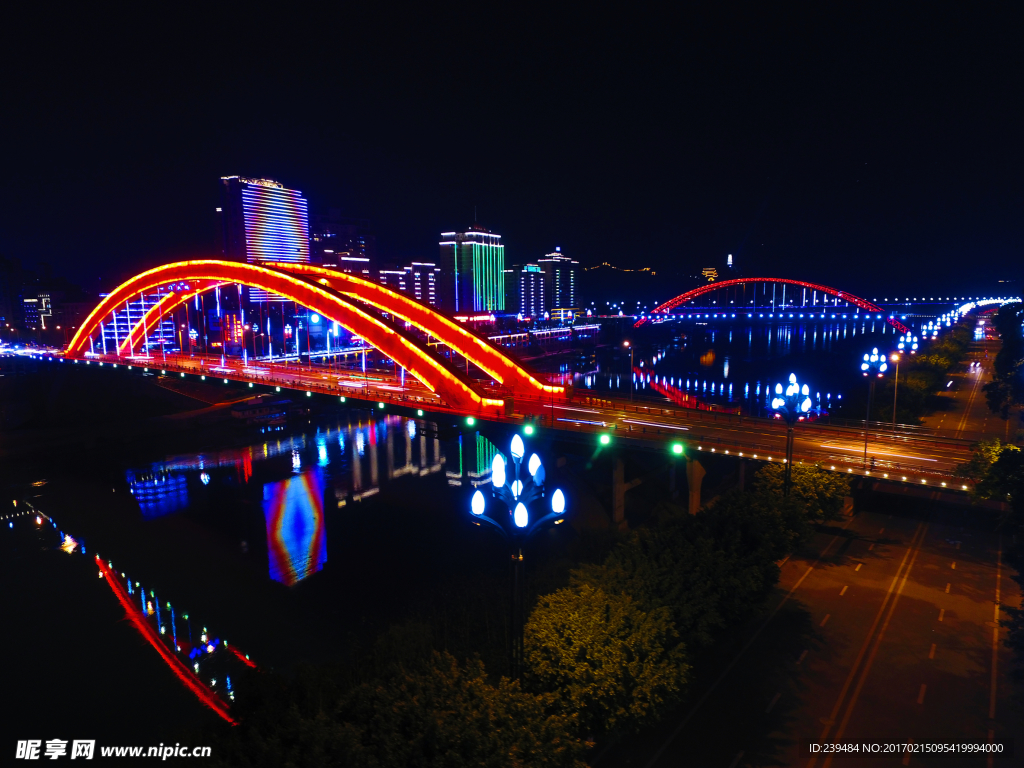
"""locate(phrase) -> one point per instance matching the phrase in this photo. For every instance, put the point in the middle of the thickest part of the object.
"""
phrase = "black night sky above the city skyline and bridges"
(877, 148)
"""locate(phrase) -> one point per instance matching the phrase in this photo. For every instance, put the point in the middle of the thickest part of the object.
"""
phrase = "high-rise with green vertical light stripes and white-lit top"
(473, 272)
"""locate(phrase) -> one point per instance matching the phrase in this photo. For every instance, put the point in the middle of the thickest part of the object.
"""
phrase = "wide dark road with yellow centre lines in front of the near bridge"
(885, 632)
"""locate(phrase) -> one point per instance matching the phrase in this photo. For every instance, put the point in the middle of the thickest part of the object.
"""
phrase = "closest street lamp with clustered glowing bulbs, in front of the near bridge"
(517, 525)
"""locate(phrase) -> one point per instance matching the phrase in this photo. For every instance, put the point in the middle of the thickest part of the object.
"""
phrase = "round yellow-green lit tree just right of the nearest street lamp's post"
(605, 658)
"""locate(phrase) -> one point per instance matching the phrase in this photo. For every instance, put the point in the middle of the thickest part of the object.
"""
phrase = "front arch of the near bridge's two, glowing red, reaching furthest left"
(455, 389)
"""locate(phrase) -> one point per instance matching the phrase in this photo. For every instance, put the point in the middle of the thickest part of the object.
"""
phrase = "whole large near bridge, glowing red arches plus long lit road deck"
(397, 325)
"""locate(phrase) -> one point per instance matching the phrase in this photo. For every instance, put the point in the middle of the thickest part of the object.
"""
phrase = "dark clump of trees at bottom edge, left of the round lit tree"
(446, 715)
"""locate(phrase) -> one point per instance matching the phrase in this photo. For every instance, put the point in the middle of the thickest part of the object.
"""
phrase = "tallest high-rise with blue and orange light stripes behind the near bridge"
(264, 222)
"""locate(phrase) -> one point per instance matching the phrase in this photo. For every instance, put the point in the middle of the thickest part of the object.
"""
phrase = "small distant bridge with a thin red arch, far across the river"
(761, 293)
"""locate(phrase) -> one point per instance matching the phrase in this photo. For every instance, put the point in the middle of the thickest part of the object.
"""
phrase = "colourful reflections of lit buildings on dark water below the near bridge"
(301, 477)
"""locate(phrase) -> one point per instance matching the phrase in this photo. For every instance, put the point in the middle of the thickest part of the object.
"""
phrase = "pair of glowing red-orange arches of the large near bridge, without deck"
(380, 317)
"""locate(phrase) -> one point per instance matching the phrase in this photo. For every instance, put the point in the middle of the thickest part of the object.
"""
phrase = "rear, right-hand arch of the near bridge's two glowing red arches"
(482, 352)
